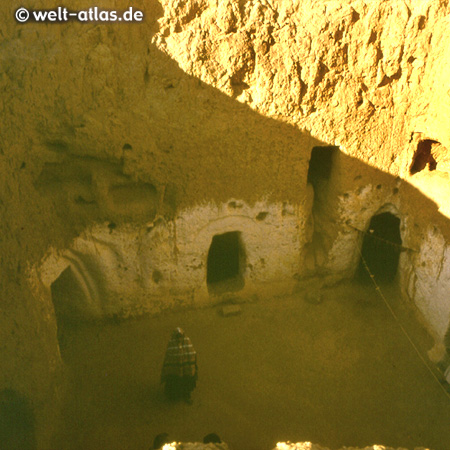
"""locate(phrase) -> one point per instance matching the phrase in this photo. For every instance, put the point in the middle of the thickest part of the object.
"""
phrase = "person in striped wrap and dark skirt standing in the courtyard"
(179, 372)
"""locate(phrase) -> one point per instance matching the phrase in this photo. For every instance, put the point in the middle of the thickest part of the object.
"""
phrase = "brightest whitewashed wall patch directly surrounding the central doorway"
(272, 236)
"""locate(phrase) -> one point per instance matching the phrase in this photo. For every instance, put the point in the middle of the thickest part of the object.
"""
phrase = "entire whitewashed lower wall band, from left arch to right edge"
(131, 270)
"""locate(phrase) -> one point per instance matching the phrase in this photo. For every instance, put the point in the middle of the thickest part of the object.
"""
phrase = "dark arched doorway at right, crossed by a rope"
(381, 248)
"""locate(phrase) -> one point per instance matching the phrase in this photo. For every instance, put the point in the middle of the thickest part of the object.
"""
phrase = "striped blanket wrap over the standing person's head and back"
(180, 359)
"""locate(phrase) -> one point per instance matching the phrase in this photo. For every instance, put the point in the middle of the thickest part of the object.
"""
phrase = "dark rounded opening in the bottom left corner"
(16, 422)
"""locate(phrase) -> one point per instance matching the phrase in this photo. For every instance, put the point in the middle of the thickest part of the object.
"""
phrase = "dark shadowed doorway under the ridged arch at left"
(67, 296)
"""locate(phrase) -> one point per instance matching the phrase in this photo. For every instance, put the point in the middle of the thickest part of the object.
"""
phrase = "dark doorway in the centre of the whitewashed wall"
(226, 261)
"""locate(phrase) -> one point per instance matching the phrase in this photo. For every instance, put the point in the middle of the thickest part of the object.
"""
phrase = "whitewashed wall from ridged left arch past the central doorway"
(163, 264)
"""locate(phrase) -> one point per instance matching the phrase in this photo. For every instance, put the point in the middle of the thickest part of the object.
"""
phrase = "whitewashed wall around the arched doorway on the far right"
(423, 272)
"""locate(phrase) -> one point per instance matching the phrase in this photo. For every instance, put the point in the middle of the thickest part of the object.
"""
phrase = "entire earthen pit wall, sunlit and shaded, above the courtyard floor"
(279, 128)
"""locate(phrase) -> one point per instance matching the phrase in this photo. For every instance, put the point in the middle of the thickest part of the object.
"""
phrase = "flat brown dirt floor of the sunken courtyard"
(339, 372)
